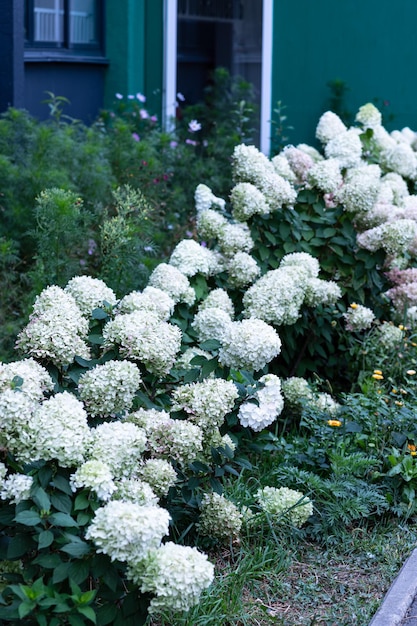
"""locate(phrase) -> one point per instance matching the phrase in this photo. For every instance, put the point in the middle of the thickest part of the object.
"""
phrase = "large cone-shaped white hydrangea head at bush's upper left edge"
(57, 330)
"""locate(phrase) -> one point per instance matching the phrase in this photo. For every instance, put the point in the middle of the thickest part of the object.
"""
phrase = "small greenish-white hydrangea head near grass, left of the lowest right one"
(219, 517)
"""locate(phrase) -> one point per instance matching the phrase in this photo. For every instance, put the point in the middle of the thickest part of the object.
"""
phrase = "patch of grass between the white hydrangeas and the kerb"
(296, 583)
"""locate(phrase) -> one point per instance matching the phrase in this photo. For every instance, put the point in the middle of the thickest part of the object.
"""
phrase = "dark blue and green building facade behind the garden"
(88, 50)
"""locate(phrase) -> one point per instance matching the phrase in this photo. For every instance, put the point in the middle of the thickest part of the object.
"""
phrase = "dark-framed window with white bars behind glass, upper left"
(63, 24)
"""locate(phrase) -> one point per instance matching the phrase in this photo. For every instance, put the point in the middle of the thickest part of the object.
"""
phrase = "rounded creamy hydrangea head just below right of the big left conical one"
(110, 388)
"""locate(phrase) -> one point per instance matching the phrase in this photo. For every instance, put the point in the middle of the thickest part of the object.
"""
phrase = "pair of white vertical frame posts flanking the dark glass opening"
(170, 70)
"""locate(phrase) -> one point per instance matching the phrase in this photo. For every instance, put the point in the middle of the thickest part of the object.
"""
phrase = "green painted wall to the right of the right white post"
(368, 44)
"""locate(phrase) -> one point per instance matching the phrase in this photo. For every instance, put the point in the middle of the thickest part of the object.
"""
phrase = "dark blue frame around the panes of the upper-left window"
(64, 48)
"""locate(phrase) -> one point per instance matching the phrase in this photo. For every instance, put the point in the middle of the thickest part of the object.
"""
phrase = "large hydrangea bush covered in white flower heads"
(125, 414)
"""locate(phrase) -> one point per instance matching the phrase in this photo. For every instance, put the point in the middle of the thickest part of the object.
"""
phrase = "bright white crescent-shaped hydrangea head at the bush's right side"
(270, 405)
